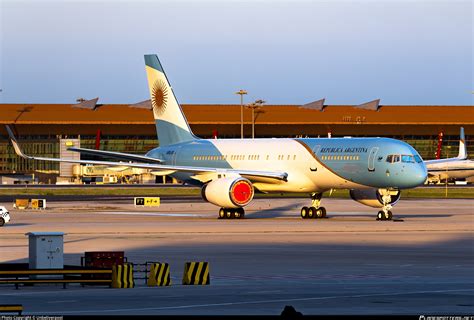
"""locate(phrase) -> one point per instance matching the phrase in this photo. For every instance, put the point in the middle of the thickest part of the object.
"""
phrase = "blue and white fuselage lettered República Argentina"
(312, 164)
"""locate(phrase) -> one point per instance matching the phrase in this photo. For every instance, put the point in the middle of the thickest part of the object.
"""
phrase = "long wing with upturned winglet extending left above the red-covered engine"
(250, 174)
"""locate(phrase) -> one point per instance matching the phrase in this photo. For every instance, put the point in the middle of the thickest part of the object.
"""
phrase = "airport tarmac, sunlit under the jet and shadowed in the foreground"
(349, 263)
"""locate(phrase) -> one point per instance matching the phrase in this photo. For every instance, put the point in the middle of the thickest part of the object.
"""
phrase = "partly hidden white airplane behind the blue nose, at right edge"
(451, 168)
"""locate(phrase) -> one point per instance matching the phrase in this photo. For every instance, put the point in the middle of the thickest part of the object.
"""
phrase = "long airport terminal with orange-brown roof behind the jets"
(48, 129)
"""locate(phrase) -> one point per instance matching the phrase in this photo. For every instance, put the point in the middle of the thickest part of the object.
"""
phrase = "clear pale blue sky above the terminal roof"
(284, 52)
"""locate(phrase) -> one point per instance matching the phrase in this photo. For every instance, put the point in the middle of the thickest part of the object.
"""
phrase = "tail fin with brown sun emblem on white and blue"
(171, 124)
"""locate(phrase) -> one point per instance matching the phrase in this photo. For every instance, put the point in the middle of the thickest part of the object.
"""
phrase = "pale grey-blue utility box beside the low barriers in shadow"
(46, 250)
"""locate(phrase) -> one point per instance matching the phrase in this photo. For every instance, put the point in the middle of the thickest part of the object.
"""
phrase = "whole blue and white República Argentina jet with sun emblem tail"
(229, 171)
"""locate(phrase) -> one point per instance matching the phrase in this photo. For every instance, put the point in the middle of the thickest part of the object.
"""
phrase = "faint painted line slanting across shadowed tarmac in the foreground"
(255, 302)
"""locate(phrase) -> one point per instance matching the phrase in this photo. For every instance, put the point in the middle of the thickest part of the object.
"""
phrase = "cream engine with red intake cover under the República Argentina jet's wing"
(228, 192)
